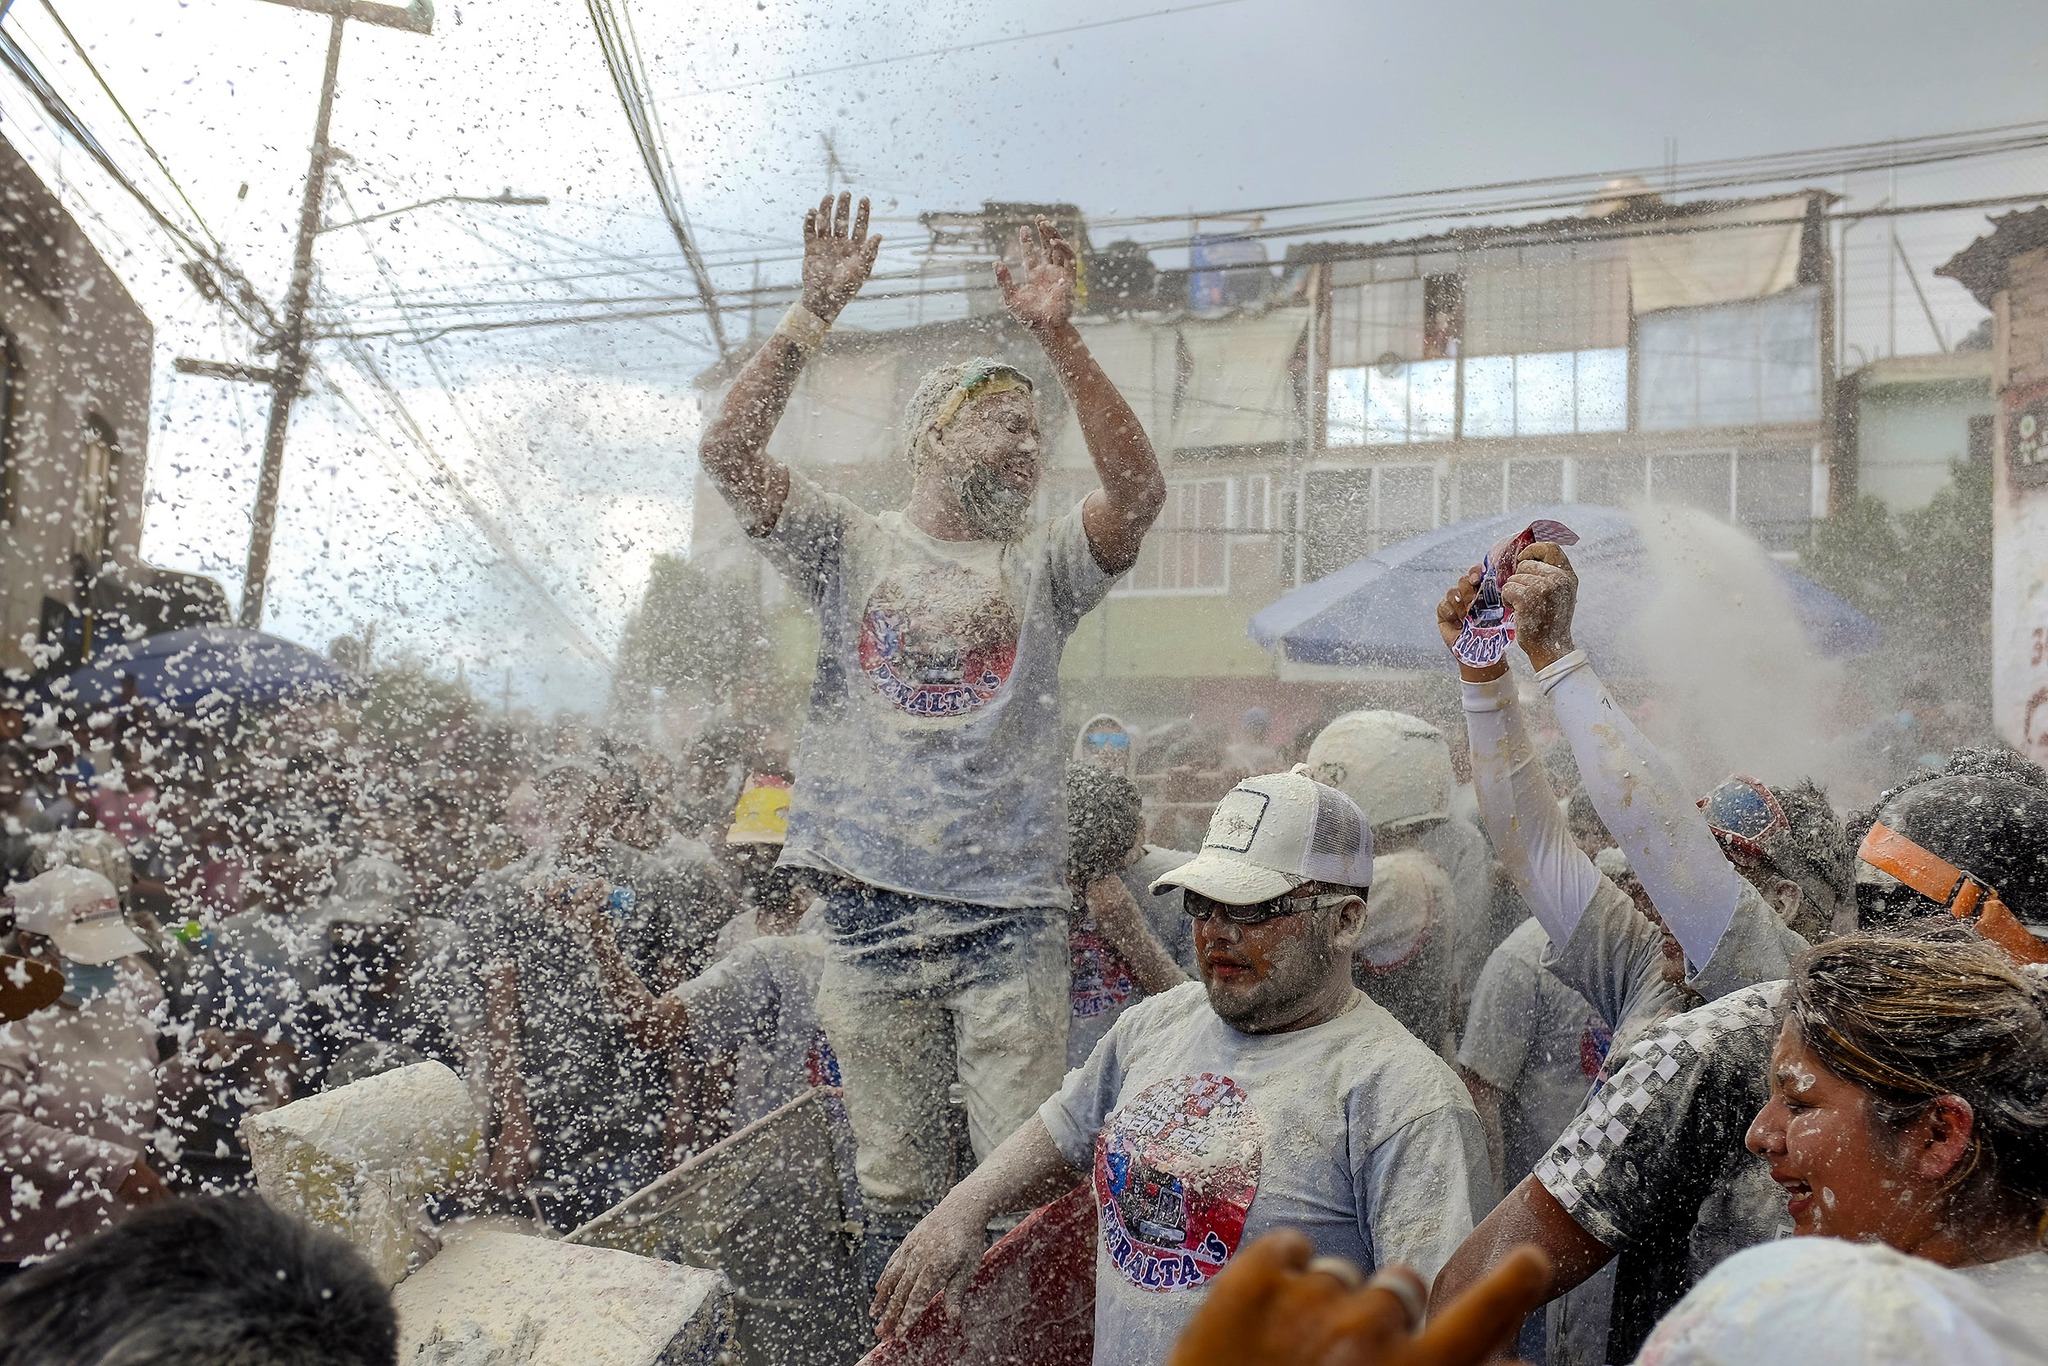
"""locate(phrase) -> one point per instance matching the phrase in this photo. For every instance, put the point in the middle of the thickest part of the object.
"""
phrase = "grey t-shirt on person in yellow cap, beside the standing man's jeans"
(763, 1005)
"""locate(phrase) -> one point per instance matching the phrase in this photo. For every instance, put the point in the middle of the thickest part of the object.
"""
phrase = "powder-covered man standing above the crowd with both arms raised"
(931, 769)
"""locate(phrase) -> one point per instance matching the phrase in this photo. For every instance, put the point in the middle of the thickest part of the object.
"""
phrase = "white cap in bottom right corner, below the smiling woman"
(1836, 1304)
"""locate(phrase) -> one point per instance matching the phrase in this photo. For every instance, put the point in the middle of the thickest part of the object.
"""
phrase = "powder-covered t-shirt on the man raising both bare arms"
(933, 757)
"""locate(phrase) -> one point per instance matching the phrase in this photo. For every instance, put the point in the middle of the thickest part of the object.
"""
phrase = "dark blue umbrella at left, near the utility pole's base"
(204, 669)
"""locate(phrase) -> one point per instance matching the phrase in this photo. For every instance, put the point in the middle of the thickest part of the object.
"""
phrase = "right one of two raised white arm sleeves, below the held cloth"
(1646, 810)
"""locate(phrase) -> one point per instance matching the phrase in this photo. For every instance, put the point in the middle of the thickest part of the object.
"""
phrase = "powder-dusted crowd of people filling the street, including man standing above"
(1392, 1060)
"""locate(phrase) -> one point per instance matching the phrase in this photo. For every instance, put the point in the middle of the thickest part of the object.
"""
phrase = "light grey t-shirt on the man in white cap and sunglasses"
(1201, 1138)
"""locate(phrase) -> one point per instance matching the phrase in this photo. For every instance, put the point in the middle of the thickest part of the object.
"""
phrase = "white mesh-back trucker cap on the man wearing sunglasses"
(1273, 835)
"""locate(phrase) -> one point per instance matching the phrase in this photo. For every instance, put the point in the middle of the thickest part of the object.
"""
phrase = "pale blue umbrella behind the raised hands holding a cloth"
(1381, 611)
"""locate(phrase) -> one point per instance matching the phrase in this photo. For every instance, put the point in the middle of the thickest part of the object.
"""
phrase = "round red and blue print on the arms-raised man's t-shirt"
(939, 640)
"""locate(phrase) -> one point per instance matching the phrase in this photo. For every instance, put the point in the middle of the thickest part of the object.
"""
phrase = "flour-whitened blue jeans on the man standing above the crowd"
(921, 996)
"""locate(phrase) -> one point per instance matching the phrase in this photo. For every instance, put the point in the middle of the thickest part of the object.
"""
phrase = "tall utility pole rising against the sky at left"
(290, 372)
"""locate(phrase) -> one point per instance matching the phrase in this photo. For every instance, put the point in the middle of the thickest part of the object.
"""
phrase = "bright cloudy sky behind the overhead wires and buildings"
(560, 460)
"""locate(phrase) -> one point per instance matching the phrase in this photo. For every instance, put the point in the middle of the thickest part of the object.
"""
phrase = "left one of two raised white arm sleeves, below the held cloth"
(1523, 816)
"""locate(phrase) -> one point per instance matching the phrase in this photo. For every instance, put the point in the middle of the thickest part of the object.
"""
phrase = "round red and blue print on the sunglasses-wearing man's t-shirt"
(1177, 1170)
